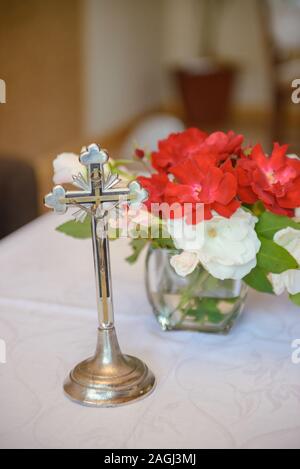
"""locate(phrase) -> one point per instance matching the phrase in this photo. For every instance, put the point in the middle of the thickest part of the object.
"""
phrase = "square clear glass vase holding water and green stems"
(198, 302)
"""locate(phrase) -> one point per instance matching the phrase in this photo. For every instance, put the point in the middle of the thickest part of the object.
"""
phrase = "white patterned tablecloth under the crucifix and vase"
(237, 391)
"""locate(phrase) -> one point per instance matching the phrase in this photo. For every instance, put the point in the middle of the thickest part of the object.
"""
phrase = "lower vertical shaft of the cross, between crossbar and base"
(102, 273)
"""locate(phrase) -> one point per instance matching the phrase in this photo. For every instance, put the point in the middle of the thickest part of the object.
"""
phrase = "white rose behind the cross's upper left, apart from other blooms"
(65, 167)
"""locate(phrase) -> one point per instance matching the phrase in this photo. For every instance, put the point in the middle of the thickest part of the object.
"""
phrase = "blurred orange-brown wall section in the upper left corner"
(40, 60)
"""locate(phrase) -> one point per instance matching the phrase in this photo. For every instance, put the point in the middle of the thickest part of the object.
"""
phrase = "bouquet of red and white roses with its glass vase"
(220, 218)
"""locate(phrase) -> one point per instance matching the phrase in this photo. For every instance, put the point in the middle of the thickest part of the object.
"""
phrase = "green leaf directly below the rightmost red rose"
(269, 224)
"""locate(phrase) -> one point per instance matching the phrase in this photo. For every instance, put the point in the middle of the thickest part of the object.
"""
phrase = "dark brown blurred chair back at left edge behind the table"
(18, 195)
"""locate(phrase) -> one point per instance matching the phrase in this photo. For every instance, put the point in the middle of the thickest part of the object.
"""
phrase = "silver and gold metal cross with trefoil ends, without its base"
(98, 191)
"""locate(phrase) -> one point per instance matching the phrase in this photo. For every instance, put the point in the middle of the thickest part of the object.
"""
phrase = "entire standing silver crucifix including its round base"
(109, 378)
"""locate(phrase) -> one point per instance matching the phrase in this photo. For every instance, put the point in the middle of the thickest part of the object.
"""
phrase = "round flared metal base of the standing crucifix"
(109, 378)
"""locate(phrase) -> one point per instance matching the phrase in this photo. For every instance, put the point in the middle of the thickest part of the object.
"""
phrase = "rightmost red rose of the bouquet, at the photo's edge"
(274, 180)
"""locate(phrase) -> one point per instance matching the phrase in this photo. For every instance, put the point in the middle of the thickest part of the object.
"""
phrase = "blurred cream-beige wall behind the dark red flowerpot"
(132, 45)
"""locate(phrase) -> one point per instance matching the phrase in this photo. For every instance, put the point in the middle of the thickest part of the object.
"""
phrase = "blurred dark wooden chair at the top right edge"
(280, 24)
